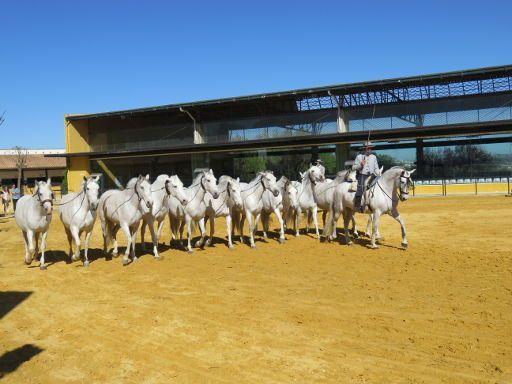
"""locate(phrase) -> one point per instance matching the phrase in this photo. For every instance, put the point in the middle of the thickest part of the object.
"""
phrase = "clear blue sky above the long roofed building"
(61, 57)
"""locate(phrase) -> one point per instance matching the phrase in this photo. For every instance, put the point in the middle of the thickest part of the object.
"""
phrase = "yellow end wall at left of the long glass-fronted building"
(77, 141)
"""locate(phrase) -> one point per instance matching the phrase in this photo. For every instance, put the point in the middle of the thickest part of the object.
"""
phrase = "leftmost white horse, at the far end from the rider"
(33, 215)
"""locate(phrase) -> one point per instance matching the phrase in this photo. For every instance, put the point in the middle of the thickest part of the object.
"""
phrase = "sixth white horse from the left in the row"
(230, 198)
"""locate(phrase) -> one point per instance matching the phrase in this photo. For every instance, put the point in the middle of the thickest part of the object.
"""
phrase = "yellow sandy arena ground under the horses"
(299, 312)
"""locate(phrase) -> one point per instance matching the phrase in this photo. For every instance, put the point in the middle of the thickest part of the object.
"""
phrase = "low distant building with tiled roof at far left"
(38, 166)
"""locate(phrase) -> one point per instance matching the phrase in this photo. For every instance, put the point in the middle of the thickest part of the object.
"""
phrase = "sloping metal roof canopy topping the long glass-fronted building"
(440, 85)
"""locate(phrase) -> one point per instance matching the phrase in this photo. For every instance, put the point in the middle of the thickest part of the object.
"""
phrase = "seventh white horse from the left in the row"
(252, 193)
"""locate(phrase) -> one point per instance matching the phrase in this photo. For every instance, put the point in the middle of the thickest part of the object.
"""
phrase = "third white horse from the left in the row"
(124, 209)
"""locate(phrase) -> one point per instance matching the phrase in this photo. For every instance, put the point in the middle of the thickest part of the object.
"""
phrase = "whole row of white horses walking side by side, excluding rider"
(206, 200)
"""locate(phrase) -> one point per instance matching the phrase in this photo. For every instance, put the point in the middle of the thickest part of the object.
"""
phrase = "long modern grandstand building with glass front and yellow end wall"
(454, 127)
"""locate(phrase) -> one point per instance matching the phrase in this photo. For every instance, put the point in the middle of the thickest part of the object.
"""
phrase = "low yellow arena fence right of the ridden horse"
(471, 186)
